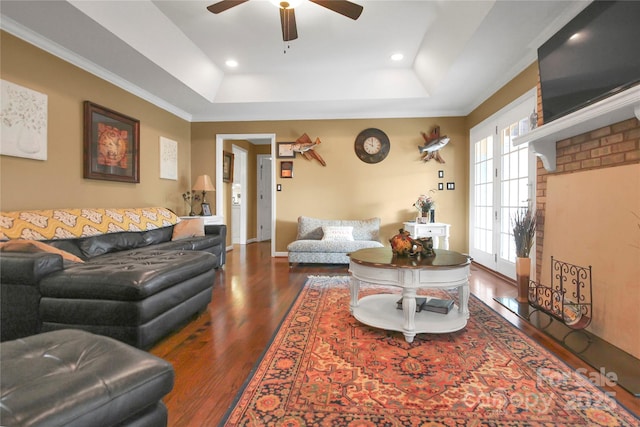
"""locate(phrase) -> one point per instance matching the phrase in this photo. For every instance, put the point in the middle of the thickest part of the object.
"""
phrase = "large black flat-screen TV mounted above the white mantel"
(596, 55)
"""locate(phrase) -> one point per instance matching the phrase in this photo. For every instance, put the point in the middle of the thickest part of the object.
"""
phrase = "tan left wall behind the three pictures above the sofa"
(58, 181)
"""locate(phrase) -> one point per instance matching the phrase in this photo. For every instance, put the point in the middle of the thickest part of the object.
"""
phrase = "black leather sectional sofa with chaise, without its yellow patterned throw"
(134, 286)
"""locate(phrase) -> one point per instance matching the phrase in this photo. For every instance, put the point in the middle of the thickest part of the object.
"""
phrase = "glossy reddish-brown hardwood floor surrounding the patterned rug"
(215, 353)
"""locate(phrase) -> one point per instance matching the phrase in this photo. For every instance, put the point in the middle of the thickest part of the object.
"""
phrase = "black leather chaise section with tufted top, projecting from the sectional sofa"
(137, 296)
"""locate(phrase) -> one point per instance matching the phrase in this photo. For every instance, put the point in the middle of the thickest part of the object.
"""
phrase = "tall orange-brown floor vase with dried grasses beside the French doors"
(524, 230)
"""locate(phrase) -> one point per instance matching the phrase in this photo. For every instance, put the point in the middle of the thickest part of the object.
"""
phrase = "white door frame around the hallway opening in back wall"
(221, 200)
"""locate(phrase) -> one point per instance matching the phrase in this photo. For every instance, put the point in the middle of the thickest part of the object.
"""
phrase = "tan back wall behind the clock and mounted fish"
(347, 187)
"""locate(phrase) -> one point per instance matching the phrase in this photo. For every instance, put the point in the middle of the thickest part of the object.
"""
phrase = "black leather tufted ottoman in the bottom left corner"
(74, 378)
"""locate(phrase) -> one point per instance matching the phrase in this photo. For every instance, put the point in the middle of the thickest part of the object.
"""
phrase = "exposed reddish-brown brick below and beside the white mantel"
(614, 145)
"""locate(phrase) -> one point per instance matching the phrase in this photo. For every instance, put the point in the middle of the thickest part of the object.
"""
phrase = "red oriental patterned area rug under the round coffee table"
(324, 368)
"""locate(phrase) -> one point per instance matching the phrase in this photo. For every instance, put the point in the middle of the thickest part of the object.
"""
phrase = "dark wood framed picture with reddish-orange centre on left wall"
(111, 145)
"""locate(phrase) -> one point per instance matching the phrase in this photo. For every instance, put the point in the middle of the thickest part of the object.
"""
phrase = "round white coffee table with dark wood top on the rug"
(378, 266)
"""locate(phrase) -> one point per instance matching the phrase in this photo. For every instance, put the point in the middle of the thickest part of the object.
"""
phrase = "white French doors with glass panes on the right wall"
(502, 180)
